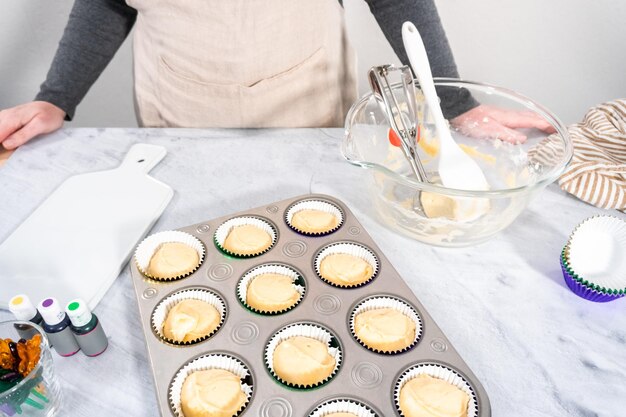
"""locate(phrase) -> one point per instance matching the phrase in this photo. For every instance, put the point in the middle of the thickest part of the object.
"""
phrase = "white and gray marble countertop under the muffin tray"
(538, 349)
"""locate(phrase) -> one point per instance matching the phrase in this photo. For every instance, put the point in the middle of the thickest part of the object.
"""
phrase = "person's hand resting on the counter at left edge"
(20, 124)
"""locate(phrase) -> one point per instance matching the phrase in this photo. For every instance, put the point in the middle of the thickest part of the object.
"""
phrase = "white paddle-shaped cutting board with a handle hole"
(76, 243)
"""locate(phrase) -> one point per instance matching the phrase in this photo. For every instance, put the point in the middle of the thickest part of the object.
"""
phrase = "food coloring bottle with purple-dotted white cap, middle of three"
(56, 324)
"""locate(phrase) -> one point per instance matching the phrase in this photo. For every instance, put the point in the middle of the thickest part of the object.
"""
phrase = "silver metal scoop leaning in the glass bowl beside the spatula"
(401, 109)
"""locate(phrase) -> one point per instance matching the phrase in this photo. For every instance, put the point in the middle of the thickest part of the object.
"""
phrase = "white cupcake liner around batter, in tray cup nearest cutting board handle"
(146, 249)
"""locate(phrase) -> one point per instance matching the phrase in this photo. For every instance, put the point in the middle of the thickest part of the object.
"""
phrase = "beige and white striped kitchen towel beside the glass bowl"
(597, 173)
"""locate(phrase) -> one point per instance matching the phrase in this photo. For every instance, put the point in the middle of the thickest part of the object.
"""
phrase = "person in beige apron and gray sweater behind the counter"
(228, 63)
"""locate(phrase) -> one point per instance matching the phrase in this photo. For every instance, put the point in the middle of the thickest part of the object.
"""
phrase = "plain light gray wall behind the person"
(567, 54)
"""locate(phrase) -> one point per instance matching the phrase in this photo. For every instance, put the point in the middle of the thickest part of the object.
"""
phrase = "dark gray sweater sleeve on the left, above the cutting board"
(94, 33)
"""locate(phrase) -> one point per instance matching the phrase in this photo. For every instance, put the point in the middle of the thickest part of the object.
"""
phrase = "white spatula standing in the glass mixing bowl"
(456, 169)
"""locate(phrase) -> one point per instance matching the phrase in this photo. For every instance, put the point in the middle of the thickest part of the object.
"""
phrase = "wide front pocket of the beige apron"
(297, 97)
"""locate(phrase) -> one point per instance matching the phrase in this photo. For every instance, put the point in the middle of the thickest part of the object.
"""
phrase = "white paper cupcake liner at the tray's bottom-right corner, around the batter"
(440, 371)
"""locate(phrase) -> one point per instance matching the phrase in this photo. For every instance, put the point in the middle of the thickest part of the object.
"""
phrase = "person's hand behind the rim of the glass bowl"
(496, 123)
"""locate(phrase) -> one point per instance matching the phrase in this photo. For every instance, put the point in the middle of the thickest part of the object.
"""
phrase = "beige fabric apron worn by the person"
(242, 63)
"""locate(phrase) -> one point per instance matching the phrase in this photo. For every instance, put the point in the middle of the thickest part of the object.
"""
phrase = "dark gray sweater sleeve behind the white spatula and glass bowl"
(391, 14)
